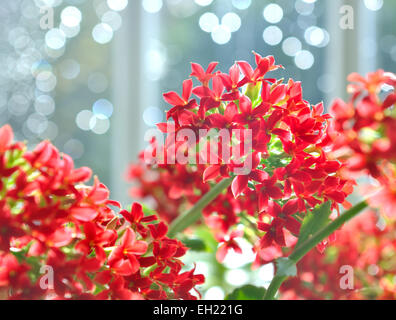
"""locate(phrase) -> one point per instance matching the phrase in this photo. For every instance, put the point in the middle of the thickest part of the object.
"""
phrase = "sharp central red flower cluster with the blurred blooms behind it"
(290, 171)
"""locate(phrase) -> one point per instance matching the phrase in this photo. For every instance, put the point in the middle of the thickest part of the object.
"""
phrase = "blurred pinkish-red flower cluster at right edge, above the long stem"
(363, 134)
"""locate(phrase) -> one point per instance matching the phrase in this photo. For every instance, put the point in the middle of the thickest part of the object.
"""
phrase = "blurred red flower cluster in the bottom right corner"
(363, 252)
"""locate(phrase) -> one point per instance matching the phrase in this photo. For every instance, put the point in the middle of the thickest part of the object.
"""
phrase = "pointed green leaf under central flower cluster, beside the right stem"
(314, 221)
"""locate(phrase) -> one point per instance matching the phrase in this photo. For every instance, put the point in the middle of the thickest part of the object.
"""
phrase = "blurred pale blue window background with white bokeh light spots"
(89, 74)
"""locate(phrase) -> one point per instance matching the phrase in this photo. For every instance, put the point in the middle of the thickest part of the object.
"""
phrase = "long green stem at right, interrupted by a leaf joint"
(310, 243)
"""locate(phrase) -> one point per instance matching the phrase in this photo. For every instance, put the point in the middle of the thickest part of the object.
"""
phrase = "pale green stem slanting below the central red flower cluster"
(193, 215)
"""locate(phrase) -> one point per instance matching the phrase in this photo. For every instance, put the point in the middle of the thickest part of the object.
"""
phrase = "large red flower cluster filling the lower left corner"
(50, 220)
